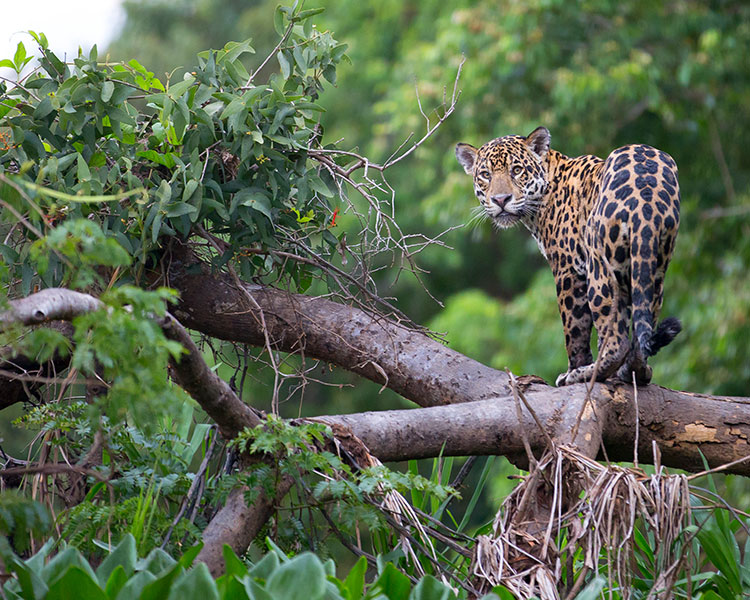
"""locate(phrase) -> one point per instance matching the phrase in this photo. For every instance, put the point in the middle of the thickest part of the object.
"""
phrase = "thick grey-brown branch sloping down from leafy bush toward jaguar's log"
(410, 363)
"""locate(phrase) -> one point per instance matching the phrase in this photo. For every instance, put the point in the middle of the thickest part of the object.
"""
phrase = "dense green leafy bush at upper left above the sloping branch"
(214, 148)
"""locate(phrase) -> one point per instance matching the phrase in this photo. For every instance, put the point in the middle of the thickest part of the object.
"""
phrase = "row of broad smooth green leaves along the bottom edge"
(123, 575)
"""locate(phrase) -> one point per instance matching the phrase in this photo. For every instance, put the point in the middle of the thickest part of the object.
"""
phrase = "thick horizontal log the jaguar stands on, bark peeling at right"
(683, 425)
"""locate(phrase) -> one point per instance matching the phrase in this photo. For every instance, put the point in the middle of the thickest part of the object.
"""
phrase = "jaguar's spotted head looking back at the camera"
(510, 178)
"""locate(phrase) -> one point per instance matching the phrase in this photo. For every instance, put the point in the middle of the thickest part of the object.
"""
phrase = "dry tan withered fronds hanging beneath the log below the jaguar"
(572, 500)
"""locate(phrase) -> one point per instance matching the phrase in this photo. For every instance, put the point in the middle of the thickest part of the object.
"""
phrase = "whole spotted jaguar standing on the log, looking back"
(607, 229)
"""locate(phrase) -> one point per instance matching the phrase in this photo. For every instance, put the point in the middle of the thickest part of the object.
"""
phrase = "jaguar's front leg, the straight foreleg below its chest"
(576, 319)
